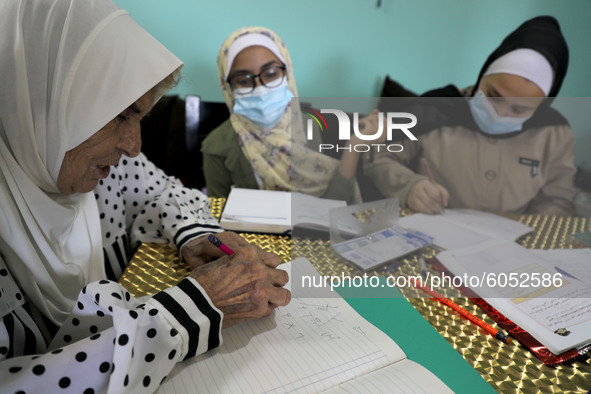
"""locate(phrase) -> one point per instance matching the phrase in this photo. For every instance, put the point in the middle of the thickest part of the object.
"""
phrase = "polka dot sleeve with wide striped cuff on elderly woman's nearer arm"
(113, 342)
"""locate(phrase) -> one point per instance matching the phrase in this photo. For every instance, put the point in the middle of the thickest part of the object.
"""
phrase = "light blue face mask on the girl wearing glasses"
(264, 106)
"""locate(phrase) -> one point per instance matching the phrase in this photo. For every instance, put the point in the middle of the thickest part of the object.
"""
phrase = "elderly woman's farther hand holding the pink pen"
(200, 251)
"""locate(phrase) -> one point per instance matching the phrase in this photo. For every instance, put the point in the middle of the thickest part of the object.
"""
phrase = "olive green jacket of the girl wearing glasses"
(225, 165)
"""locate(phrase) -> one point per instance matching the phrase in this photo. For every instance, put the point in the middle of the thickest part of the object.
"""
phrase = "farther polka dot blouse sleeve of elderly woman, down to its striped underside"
(138, 203)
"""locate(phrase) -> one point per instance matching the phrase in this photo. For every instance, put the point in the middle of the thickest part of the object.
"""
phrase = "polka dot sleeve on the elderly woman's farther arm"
(158, 208)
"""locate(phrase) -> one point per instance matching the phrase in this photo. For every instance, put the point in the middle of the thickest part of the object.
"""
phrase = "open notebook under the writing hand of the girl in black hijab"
(459, 228)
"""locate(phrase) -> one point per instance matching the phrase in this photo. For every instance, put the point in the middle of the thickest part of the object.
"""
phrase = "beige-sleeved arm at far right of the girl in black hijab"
(557, 195)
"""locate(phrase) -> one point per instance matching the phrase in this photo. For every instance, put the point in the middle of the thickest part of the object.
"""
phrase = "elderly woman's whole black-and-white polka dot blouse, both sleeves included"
(113, 342)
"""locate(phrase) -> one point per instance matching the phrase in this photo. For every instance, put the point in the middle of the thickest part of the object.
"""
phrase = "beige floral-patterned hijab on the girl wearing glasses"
(279, 156)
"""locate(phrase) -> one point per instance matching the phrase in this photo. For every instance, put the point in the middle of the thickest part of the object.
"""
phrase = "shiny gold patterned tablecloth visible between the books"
(506, 367)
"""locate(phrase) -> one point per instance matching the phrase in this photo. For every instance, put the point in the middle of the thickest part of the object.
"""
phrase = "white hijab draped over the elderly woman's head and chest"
(68, 68)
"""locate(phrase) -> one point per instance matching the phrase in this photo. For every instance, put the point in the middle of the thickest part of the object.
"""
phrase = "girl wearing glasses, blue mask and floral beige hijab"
(259, 147)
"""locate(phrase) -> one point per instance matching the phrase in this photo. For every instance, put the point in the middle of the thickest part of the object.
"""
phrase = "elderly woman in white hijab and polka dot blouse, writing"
(77, 77)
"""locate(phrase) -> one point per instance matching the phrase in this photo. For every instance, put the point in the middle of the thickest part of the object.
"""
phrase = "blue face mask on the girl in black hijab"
(489, 121)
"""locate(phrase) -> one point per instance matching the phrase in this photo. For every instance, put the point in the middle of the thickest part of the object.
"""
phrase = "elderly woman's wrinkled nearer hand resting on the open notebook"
(246, 285)
